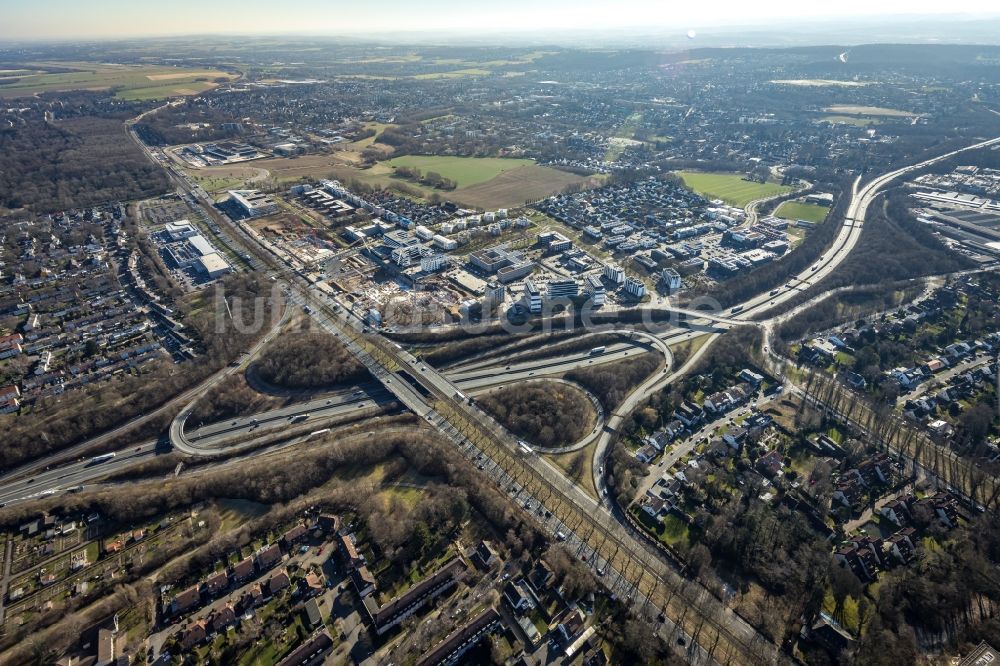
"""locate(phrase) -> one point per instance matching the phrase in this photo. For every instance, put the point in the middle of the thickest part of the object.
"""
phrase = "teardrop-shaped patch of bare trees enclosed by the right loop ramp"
(553, 414)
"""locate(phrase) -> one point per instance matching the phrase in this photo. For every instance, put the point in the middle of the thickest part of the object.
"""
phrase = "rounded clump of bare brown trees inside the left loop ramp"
(308, 359)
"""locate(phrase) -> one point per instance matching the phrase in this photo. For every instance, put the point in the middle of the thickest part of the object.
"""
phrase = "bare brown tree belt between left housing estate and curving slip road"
(56, 422)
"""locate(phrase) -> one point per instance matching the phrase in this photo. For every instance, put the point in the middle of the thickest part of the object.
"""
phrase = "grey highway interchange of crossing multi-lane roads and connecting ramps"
(561, 508)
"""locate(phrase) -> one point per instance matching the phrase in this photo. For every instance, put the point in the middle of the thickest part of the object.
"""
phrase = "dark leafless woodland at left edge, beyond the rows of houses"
(51, 166)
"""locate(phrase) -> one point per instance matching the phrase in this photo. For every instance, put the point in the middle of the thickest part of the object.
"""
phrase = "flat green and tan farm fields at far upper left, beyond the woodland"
(130, 81)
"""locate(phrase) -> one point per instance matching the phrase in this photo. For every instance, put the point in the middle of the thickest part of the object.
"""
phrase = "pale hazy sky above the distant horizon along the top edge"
(68, 19)
